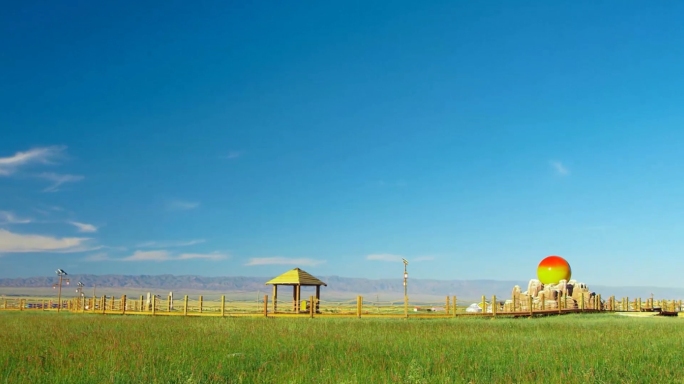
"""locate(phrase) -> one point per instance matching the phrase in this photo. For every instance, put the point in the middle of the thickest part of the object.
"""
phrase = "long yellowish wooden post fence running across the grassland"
(125, 305)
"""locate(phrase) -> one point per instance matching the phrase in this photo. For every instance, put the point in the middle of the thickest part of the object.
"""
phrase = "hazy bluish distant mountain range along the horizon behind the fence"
(339, 287)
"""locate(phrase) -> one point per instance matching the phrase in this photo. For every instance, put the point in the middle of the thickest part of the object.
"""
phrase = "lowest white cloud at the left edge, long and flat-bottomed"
(17, 243)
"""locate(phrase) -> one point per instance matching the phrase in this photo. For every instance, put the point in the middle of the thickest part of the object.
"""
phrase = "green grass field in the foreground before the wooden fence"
(39, 347)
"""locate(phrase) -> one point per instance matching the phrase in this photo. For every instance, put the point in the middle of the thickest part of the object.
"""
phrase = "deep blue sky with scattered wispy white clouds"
(227, 138)
